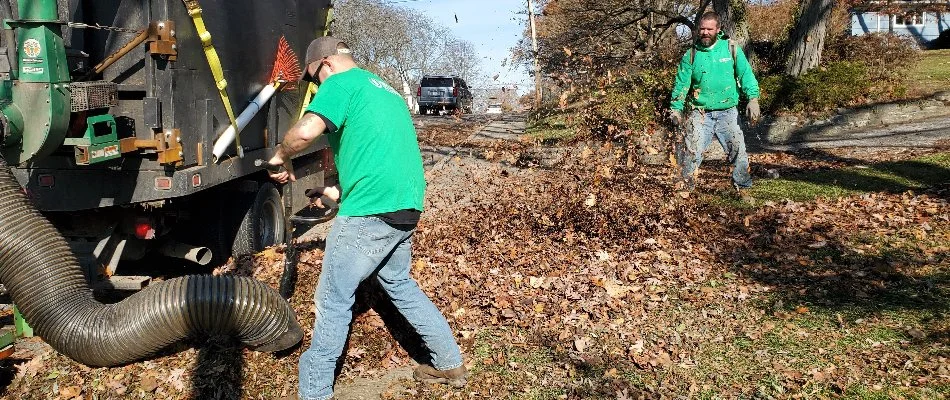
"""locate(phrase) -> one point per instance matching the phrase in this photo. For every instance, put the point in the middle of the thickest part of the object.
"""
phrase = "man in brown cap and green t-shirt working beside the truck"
(377, 156)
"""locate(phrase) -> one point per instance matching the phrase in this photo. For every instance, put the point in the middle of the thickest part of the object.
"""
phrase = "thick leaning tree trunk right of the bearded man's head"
(807, 39)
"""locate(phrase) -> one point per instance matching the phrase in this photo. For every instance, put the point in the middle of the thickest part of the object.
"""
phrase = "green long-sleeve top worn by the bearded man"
(709, 82)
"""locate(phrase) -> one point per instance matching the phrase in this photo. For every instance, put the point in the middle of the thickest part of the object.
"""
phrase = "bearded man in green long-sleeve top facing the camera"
(710, 77)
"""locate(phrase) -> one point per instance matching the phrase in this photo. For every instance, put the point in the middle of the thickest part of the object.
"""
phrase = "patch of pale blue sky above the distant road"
(493, 26)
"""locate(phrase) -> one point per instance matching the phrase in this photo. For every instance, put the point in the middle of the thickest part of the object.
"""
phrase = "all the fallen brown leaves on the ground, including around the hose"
(585, 278)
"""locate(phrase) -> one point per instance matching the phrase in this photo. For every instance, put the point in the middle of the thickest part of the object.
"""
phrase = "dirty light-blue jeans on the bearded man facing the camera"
(701, 127)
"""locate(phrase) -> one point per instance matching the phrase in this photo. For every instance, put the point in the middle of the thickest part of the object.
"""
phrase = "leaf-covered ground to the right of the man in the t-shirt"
(610, 284)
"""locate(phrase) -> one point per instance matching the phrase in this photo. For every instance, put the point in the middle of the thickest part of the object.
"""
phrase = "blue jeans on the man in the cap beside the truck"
(358, 247)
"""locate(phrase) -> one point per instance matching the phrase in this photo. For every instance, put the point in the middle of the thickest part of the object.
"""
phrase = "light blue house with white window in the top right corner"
(922, 20)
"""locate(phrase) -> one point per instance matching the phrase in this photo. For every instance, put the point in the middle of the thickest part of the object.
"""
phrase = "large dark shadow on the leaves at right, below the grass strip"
(858, 276)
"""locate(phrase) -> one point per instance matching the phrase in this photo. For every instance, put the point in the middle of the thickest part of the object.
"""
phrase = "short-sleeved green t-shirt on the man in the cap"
(374, 144)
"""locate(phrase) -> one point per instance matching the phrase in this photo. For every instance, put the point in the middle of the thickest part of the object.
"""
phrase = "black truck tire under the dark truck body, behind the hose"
(262, 224)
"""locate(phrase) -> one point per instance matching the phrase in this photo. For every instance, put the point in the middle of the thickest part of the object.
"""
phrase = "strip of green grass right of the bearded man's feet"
(893, 177)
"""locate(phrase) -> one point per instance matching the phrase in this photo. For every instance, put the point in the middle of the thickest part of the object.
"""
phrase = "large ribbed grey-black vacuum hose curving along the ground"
(46, 283)
